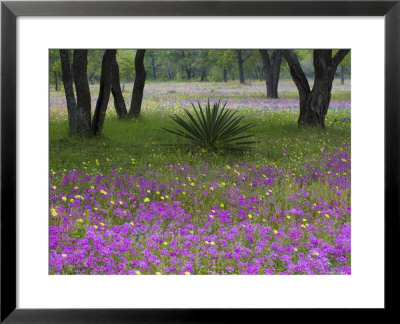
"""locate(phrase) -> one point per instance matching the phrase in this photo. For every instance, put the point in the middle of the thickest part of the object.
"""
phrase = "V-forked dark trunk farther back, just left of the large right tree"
(271, 69)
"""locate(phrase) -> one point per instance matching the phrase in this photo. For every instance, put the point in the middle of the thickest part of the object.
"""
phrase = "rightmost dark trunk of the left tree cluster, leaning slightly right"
(138, 86)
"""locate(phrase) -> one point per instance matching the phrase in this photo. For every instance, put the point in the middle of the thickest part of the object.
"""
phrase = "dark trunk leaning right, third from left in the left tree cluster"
(104, 92)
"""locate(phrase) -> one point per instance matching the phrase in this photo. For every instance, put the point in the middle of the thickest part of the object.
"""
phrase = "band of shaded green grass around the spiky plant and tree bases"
(144, 141)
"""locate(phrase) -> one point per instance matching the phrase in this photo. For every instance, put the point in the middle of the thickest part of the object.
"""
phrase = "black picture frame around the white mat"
(9, 13)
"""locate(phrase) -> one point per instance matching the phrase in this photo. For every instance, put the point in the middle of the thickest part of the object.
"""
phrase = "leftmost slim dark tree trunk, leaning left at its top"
(67, 79)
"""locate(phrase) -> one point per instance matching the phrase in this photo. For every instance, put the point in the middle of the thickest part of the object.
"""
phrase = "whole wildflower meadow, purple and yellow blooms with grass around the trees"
(128, 202)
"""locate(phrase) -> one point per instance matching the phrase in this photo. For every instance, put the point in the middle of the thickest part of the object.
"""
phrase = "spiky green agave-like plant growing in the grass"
(213, 127)
